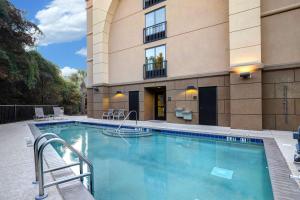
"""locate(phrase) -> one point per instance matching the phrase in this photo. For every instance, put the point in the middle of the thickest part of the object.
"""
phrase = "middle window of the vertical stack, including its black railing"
(155, 23)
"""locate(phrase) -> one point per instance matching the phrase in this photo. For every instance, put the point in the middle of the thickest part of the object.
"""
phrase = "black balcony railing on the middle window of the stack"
(156, 32)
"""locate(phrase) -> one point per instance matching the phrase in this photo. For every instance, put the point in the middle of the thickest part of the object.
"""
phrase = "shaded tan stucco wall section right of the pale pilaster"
(280, 38)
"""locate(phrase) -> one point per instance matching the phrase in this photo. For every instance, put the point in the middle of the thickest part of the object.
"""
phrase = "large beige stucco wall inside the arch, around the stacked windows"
(192, 47)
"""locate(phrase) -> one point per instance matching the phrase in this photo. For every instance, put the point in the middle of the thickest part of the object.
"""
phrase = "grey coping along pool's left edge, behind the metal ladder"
(73, 190)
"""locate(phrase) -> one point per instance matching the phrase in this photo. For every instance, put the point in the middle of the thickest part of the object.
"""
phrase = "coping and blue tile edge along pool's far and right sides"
(283, 186)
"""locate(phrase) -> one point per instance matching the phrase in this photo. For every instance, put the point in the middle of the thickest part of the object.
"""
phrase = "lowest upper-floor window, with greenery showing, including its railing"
(155, 62)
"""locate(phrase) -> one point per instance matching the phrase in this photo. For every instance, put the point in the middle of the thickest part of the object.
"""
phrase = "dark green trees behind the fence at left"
(25, 76)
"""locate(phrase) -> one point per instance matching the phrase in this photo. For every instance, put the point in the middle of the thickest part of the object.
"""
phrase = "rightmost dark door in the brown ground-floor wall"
(208, 105)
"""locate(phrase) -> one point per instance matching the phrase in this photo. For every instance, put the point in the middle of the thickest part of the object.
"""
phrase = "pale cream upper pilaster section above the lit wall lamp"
(245, 32)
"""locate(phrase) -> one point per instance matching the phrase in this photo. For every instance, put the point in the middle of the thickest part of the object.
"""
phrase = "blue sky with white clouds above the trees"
(63, 23)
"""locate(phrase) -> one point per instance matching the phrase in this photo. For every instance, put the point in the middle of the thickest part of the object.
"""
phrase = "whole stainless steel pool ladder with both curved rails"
(39, 171)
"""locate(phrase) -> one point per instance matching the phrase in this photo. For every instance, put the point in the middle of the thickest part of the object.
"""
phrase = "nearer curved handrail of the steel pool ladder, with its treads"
(41, 171)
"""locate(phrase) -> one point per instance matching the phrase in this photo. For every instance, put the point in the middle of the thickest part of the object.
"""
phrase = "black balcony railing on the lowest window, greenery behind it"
(155, 70)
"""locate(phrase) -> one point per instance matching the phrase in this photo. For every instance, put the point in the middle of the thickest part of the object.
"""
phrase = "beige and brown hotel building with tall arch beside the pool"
(233, 63)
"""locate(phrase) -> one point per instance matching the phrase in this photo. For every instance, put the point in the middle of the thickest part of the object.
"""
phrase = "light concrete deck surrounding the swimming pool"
(17, 165)
